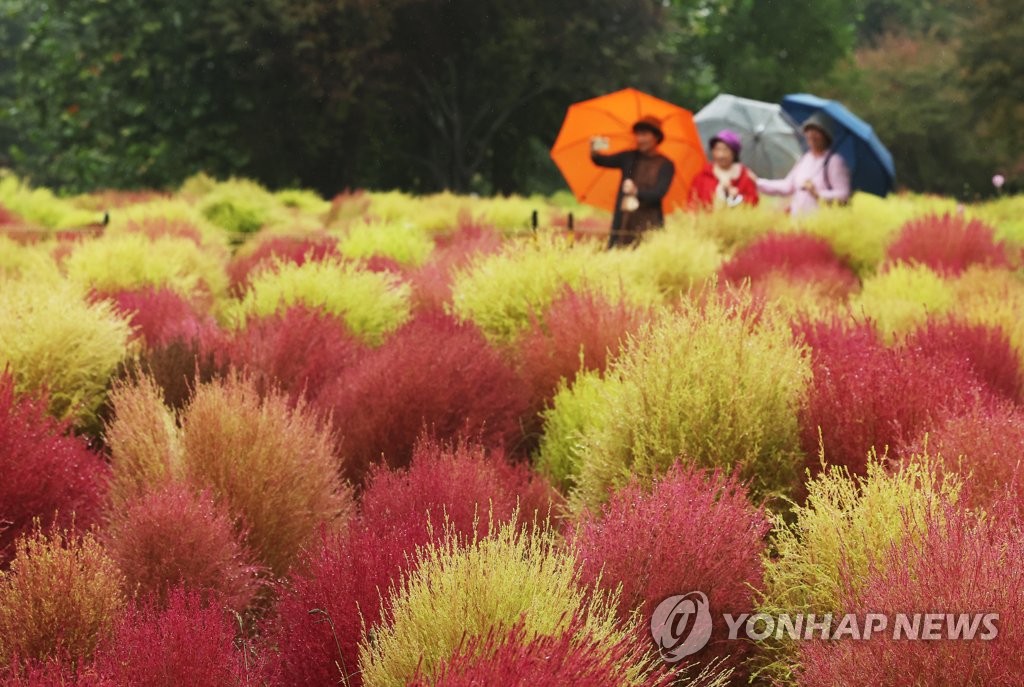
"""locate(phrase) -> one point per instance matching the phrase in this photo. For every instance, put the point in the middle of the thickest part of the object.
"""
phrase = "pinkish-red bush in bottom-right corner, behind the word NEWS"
(962, 565)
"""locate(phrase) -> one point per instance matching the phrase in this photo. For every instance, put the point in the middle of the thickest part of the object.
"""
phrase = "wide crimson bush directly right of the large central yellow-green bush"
(865, 395)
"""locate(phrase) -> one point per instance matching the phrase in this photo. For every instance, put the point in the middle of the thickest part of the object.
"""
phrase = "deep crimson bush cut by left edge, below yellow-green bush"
(47, 474)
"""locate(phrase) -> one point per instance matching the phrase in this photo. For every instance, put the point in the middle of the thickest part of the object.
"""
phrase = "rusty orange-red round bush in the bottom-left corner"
(60, 598)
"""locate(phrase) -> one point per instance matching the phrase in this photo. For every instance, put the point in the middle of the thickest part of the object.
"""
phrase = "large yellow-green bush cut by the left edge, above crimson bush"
(55, 340)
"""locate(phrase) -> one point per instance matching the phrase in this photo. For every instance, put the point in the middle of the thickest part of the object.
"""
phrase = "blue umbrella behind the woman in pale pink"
(872, 168)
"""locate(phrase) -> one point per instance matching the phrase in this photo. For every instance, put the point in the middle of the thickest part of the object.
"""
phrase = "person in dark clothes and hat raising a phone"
(647, 178)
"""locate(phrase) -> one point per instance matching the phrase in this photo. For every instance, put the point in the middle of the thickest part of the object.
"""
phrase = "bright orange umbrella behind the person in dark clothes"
(613, 116)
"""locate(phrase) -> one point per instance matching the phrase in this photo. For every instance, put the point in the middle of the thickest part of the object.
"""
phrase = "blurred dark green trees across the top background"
(468, 95)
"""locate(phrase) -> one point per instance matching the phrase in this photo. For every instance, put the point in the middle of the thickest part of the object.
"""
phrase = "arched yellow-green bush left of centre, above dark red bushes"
(371, 305)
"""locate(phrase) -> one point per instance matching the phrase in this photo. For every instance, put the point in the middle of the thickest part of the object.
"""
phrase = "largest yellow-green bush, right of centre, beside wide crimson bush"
(712, 387)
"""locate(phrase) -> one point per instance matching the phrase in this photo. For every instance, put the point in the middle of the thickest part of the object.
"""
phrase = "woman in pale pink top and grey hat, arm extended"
(822, 176)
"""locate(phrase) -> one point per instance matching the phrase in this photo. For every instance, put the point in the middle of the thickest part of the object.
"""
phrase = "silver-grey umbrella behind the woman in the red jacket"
(773, 143)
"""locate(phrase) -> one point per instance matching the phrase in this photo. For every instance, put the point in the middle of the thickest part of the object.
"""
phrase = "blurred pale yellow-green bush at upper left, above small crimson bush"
(133, 262)
